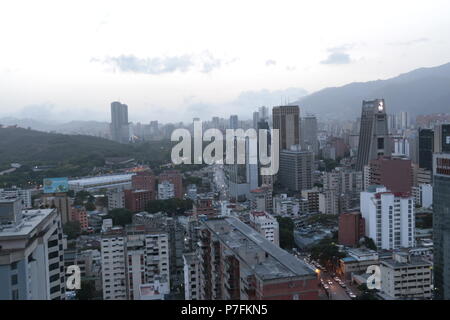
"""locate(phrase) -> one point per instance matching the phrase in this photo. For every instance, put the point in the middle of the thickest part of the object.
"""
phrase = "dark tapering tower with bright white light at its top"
(374, 135)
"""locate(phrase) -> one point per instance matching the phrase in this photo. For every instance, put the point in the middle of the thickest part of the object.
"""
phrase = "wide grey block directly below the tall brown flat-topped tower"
(296, 169)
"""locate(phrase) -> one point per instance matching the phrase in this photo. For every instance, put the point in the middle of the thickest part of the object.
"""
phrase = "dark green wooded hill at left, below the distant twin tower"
(69, 155)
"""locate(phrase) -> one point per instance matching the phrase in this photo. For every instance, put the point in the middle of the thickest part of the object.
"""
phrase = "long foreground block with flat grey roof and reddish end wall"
(238, 263)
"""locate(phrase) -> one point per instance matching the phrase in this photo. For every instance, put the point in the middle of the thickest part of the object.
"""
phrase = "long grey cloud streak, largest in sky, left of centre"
(204, 62)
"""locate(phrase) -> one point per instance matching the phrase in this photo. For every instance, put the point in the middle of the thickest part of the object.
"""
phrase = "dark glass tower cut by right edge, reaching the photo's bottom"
(441, 224)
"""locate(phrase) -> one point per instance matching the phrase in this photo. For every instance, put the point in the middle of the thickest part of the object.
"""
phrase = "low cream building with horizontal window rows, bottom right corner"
(406, 277)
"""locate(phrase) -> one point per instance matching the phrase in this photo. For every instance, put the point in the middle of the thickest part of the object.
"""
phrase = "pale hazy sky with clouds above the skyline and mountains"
(174, 60)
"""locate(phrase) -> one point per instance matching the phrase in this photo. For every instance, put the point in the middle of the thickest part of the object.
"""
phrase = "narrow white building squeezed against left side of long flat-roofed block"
(191, 276)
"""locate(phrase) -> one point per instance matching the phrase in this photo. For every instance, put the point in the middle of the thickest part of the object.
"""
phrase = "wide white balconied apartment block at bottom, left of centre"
(134, 259)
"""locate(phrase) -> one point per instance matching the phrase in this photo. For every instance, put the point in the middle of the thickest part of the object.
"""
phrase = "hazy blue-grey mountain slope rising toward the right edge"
(422, 91)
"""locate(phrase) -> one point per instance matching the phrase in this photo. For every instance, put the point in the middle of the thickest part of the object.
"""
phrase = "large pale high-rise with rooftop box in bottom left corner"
(31, 255)
